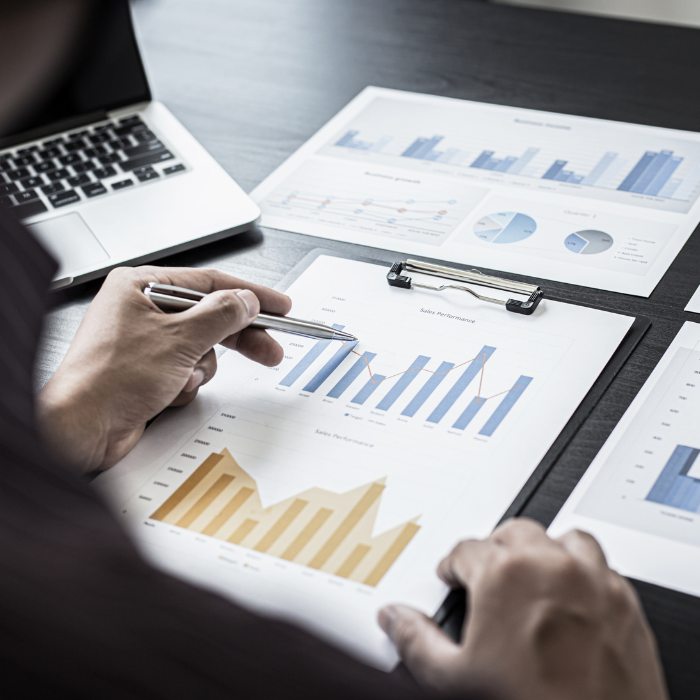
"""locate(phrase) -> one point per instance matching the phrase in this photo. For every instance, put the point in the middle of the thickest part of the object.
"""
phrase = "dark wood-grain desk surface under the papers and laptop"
(254, 80)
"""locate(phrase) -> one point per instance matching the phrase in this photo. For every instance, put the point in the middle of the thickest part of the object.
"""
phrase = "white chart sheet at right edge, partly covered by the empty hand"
(641, 495)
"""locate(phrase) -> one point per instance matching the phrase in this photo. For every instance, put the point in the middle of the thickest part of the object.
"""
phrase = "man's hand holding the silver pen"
(129, 360)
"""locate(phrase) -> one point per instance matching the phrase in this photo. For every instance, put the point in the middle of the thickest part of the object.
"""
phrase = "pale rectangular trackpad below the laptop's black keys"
(71, 242)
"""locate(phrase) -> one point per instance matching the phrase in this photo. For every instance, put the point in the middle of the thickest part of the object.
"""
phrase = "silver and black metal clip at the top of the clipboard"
(396, 278)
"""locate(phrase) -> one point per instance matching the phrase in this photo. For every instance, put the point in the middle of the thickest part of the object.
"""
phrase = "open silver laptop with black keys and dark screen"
(106, 176)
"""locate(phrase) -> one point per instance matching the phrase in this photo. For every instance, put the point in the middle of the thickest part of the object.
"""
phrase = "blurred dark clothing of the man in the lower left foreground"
(81, 613)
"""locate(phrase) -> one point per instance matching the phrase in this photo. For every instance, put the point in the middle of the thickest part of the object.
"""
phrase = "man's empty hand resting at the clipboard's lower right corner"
(548, 620)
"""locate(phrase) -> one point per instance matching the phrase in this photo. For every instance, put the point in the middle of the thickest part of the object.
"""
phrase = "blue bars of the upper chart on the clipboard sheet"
(399, 394)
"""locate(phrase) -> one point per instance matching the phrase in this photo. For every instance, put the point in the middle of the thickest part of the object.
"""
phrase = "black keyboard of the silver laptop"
(80, 165)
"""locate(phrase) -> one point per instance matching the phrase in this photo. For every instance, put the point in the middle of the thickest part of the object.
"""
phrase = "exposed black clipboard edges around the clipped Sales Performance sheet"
(451, 614)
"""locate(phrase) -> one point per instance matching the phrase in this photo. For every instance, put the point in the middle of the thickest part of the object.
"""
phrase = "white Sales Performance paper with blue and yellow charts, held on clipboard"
(410, 463)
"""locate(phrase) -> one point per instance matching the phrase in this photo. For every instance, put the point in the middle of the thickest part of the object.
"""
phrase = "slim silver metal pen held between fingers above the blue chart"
(170, 298)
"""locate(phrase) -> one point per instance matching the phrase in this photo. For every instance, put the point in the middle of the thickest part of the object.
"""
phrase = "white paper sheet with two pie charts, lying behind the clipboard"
(591, 202)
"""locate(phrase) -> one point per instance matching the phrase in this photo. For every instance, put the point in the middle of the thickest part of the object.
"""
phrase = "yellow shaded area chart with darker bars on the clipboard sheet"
(320, 529)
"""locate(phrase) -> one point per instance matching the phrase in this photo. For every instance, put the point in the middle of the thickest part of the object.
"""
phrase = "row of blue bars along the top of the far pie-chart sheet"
(652, 174)
